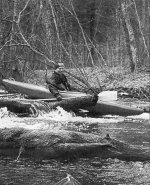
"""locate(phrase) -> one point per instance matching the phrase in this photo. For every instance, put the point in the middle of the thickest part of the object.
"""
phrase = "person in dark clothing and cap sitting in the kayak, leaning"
(58, 81)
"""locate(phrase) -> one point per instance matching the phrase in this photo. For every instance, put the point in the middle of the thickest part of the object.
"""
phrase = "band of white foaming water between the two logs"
(60, 119)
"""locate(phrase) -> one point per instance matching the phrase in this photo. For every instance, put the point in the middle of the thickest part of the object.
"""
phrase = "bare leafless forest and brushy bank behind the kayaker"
(105, 43)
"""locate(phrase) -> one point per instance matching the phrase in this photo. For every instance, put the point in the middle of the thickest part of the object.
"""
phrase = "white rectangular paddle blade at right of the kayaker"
(108, 95)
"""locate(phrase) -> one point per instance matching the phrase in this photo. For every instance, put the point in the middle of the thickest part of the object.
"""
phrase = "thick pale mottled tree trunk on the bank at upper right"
(129, 36)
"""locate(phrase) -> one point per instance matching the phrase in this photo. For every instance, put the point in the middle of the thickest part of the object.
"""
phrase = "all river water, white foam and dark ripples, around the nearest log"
(134, 130)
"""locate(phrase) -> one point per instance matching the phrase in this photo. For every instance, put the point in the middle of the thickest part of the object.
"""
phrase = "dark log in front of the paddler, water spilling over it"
(32, 107)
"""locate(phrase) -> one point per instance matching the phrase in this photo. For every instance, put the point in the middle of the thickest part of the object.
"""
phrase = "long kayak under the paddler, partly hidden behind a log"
(42, 93)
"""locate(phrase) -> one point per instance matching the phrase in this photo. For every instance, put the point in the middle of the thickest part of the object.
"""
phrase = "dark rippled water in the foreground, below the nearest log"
(87, 171)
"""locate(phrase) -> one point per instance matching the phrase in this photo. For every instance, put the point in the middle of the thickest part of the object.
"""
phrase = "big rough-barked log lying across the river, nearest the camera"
(18, 142)
